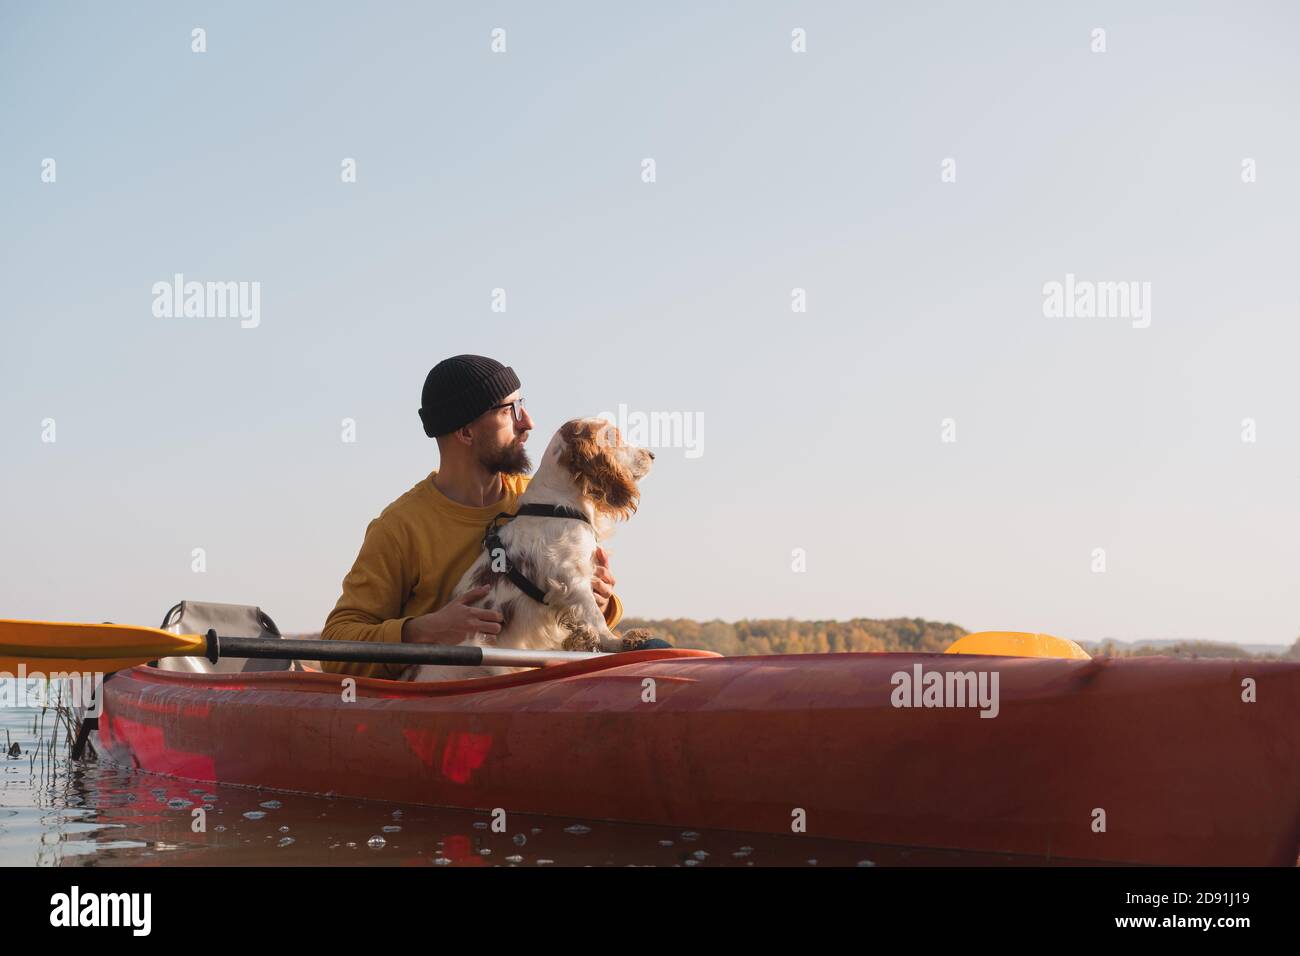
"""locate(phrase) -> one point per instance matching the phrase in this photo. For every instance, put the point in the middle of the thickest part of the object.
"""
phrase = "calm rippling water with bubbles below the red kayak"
(55, 812)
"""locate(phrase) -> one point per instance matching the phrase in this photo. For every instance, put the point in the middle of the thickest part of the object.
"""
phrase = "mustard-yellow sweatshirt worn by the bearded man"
(411, 560)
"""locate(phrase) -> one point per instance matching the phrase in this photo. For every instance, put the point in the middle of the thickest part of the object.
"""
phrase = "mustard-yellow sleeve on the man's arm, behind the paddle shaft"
(371, 607)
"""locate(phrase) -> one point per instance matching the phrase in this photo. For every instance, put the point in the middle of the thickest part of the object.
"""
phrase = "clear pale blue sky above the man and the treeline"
(774, 171)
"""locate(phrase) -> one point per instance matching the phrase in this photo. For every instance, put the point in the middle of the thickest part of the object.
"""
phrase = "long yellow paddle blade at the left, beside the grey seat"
(47, 647)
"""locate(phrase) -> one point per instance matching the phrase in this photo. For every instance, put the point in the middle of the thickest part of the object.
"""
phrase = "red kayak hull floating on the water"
(1125, 760)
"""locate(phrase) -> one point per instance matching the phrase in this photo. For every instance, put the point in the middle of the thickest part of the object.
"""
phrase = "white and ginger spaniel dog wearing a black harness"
(540, 563)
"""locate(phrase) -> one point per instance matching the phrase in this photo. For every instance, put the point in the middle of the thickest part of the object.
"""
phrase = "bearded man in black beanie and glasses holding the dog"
(418, 550)
